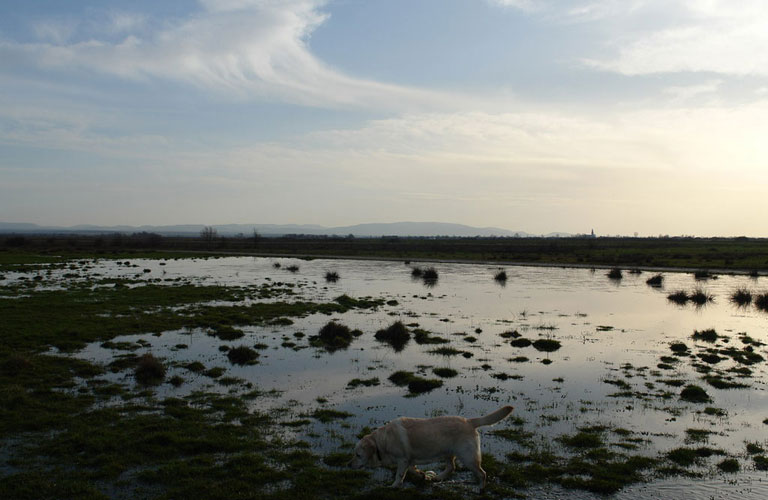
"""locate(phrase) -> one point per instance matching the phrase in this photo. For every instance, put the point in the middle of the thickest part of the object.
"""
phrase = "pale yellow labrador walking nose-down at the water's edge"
(406, 442)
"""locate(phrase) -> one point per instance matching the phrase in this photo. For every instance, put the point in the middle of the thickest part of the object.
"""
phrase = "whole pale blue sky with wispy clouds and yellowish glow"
(622, 116)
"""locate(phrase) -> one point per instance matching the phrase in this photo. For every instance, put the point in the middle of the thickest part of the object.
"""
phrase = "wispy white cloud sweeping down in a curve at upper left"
(245, 48)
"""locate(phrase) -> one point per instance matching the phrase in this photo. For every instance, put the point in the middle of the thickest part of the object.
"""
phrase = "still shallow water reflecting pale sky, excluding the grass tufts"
(609, 330)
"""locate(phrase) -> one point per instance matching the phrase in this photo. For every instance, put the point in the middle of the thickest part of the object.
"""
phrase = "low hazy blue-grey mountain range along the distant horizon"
(360, 230)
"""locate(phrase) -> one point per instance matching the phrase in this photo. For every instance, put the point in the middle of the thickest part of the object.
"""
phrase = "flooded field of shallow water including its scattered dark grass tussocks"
(608, 371)
